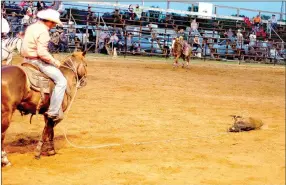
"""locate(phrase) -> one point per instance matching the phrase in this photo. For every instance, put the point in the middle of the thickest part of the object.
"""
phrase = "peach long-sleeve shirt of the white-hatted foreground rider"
(35, 42)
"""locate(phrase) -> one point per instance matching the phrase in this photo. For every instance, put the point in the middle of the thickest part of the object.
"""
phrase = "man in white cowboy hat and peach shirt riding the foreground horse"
(35, 51)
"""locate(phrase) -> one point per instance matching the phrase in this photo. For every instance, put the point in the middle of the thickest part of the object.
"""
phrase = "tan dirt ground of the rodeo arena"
(171, 125)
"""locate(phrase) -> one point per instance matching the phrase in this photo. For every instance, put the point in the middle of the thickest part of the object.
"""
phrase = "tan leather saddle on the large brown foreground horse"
(38, 80)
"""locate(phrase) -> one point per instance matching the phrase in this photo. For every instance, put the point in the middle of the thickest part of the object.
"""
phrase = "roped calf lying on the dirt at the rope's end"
(245, 124)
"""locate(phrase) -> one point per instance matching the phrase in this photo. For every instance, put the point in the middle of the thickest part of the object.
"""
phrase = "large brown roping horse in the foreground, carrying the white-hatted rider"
(18, 94)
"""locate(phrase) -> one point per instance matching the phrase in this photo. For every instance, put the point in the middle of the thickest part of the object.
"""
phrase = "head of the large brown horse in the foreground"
(78, 64)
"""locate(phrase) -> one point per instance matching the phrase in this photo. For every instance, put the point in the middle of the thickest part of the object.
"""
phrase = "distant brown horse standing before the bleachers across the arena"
(181, 50)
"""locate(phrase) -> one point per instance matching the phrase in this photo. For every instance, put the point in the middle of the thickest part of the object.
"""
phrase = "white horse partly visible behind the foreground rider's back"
(8, 46)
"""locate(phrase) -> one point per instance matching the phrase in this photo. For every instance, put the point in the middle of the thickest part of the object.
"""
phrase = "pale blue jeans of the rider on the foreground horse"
(61, 84)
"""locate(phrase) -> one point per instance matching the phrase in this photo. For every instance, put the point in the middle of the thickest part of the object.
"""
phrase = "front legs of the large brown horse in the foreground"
(46, 145)
